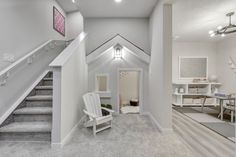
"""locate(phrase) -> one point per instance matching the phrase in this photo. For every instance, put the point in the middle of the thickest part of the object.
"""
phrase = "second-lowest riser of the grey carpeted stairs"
(32, 118)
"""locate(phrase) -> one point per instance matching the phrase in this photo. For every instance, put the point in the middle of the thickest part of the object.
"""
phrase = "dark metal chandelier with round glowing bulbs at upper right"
(222, 31)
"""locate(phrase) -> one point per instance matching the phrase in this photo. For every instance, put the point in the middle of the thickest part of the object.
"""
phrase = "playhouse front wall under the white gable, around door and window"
(107, 65)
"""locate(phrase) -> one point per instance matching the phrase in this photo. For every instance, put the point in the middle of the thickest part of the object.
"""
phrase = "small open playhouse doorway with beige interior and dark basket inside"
(129, 91)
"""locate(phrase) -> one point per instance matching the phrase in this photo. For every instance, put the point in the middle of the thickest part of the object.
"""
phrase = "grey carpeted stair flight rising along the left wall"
(32, 120)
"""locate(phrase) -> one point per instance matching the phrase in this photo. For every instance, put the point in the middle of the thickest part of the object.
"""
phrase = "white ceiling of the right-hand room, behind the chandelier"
(192, 19)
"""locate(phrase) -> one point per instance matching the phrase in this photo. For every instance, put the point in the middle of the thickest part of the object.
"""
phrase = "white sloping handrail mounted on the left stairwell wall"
(23, 58)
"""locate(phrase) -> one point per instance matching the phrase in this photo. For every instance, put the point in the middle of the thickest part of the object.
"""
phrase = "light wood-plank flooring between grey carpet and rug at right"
(202, 140)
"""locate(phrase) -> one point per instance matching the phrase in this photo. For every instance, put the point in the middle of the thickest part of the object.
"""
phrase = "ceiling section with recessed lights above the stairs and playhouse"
(108, 8)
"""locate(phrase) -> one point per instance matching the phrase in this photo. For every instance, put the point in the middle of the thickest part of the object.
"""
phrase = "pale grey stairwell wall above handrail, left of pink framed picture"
(25, 24)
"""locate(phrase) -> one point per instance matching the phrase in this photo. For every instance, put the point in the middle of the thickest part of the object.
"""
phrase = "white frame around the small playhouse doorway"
(140, 87)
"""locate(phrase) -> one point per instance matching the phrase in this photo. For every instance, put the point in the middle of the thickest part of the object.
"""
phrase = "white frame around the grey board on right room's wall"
(187, 78)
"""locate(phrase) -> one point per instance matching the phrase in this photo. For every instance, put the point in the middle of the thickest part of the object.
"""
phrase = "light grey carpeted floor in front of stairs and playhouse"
(131, 136)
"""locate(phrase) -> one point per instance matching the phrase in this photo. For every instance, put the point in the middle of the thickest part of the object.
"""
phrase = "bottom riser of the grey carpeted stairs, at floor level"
(25, 136)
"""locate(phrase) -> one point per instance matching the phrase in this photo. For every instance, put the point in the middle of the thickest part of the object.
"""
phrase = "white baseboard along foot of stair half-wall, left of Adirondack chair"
(68, 137)
